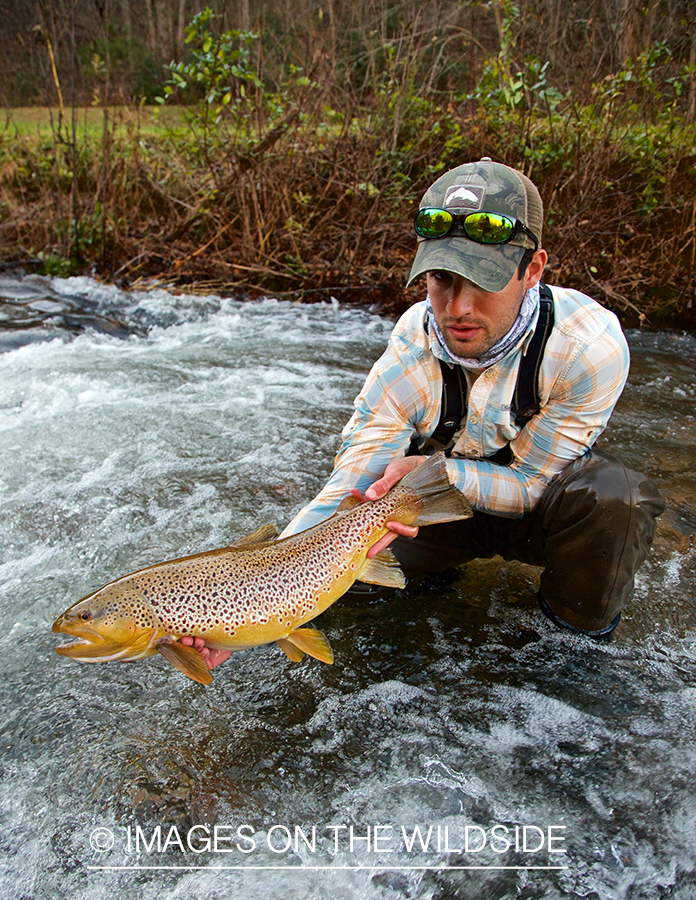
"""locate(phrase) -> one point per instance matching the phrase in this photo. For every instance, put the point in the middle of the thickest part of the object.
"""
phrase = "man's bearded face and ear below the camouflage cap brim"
(472, 320)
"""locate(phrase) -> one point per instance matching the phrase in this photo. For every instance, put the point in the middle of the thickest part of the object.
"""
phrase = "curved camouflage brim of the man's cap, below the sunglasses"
(490, 266)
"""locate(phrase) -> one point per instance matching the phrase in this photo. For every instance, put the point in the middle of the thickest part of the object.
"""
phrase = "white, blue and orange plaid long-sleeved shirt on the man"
(583, 372)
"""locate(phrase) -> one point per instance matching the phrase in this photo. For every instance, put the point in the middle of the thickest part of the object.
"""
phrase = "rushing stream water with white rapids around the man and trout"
(484, 753)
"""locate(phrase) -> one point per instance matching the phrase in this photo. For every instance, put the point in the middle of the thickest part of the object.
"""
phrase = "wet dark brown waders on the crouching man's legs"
(590, 531)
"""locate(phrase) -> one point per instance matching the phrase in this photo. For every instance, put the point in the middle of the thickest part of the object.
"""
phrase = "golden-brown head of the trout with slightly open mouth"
(115, 622)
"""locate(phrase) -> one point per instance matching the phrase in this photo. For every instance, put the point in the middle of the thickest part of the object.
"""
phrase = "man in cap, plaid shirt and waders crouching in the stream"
(540, 494)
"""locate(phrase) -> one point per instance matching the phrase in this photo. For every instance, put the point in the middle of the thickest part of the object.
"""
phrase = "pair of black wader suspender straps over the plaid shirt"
(525, 401)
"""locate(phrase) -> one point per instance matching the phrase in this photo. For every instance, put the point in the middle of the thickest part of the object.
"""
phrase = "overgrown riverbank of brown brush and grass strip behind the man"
(313, 202)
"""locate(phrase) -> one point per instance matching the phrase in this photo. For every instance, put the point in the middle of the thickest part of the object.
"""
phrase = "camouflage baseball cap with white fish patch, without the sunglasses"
(488, 186)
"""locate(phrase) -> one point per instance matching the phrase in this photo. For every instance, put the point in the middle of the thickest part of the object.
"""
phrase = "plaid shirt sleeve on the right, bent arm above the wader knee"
(579, 405)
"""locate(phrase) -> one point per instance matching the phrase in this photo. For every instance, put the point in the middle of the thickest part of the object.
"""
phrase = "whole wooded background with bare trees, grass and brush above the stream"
(283, 147)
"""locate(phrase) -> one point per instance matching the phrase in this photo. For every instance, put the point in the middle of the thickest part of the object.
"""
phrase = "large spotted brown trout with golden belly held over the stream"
(259, 589)
